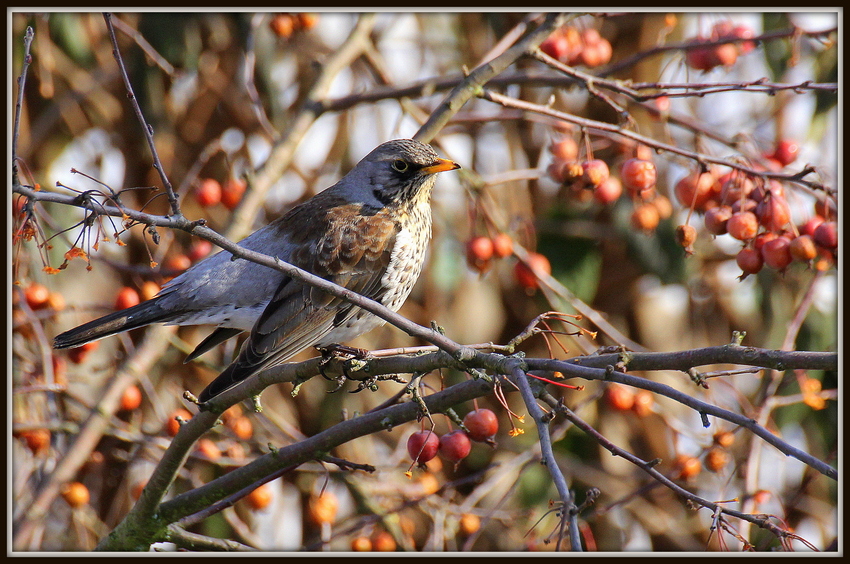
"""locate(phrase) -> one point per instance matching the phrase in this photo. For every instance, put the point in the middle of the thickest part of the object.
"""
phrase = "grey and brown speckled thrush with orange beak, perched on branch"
(368, 233)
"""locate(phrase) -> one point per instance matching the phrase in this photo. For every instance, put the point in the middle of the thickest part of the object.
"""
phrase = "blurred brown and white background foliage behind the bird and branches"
(194, 74)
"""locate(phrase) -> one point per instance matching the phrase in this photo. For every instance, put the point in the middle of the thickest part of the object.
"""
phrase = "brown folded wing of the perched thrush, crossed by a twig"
(354, 253)
